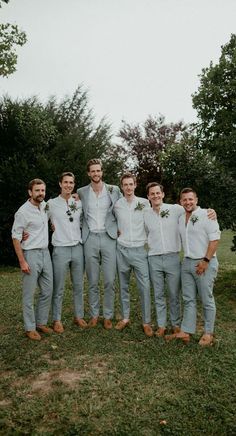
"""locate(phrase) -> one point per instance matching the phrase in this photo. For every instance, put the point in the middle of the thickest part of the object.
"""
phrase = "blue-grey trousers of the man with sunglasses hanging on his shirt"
(64, 258)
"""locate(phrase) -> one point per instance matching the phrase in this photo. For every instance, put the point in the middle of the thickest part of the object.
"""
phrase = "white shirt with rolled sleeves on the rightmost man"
(197, 234)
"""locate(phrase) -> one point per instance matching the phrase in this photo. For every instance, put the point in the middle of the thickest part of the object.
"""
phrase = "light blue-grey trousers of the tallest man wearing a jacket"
(100, 252)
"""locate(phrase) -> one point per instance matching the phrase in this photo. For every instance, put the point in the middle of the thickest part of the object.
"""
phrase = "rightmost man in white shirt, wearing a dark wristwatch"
(200, 237)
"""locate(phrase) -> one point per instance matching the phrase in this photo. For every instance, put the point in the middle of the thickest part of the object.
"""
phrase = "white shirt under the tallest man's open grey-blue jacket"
(98, 206)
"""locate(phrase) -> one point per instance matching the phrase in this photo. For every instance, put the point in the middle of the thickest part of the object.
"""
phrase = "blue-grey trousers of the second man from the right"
(166, 267)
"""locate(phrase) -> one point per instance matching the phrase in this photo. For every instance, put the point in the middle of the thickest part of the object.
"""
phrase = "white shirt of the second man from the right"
(162, 229)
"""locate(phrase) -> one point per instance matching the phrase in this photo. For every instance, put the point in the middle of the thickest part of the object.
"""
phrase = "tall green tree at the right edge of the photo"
(215, 102)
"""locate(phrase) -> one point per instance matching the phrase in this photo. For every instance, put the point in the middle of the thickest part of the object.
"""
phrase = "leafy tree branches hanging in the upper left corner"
(10, 36)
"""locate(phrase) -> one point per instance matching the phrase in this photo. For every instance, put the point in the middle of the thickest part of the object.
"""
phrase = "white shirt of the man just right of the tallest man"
(130, 220)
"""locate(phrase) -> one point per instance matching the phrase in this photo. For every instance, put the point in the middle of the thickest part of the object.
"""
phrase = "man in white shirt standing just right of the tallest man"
(131, 252)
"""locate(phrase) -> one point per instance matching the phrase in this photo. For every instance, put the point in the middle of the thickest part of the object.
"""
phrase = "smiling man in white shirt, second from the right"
(161, 223)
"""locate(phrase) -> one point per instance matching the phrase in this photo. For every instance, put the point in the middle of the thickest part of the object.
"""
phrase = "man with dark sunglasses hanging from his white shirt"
(64, 213)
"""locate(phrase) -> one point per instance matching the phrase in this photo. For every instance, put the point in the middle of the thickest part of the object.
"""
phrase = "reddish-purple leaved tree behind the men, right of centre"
(144, 145)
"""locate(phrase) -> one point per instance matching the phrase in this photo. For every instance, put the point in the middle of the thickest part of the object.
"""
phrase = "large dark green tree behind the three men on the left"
(42, 141)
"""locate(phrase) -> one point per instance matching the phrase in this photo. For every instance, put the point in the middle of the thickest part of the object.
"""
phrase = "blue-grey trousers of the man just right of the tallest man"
(135, 259)
